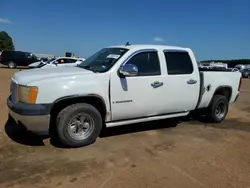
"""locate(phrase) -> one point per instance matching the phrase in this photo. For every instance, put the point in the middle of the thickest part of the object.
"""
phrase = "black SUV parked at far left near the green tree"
(13, 59)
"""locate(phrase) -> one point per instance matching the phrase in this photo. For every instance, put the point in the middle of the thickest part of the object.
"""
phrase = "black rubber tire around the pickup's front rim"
(67, 115)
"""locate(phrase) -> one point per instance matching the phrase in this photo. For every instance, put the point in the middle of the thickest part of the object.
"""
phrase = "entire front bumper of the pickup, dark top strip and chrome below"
(34, 117)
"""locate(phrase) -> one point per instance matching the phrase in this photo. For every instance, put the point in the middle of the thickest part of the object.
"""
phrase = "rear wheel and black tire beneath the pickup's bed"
(213, 113)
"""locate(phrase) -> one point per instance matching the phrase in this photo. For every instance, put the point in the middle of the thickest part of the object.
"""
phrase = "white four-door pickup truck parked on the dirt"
(116, 86)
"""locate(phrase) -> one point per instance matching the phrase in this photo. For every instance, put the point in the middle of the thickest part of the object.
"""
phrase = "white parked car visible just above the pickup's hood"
(57, 62)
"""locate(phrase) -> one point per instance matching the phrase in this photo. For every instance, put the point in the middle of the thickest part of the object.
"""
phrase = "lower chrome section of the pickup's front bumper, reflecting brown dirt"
(36, 124)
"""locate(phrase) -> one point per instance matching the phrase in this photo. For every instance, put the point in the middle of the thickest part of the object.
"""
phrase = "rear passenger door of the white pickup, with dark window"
(182, 80)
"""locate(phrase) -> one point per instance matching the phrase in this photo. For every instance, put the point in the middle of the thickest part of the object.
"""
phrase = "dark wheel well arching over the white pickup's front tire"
(97, 102)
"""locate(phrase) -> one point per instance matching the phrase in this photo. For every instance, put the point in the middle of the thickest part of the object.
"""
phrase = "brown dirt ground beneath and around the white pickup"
(157, 154)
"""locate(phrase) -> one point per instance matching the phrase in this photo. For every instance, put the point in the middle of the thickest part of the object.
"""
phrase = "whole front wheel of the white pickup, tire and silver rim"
(79, 125)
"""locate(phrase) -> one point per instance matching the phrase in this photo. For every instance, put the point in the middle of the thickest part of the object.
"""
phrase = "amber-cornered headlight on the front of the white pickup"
(27, 94)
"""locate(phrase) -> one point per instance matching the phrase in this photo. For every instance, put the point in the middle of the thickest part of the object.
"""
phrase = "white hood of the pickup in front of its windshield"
(24, 77)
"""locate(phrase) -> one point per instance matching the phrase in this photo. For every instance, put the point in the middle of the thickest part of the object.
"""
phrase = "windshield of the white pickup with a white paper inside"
(103, 60)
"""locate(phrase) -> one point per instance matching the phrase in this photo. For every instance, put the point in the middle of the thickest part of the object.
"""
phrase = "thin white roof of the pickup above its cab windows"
(148, 46)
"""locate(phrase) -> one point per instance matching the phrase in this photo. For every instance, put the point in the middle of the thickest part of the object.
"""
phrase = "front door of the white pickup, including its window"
(138, 96)
